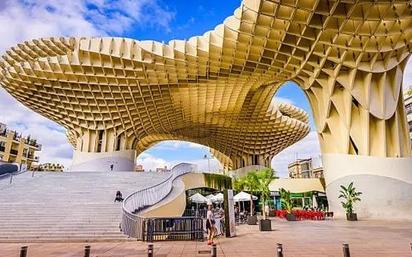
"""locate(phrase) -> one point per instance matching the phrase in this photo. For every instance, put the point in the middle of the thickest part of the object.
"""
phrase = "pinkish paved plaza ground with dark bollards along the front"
(303, 239)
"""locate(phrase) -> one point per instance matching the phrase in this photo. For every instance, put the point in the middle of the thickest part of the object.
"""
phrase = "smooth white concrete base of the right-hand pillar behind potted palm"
(386, 184)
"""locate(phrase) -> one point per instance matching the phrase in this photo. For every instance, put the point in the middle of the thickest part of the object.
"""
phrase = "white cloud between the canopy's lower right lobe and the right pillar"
(305, 148)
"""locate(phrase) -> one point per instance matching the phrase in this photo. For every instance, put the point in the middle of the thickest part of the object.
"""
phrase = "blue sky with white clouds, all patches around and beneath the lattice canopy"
(159, 20)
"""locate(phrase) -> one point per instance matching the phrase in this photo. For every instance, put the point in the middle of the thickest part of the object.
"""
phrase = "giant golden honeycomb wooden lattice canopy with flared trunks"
(216, 89)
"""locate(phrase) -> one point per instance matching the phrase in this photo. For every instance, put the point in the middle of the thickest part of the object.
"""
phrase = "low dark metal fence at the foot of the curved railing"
(165, 229)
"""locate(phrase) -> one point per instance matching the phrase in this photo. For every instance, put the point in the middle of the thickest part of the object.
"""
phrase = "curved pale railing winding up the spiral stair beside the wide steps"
(133, 224)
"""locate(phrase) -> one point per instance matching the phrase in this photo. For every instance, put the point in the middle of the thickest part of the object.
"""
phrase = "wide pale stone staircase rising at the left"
(66, 206)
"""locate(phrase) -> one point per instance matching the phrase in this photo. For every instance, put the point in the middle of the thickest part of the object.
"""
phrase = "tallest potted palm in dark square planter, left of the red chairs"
(265, 176)
